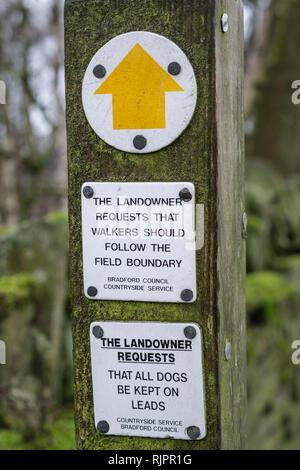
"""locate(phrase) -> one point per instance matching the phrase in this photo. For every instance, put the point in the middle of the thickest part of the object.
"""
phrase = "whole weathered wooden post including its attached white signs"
(130, 94)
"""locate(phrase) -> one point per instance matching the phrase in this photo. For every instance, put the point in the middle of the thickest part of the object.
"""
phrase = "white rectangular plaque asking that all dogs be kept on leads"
(148, 379)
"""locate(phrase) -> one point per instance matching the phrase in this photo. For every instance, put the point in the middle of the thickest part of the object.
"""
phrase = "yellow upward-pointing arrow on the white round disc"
(138, 86)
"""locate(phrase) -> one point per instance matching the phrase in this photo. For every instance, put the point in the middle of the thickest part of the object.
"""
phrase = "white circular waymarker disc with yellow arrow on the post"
(138, 106)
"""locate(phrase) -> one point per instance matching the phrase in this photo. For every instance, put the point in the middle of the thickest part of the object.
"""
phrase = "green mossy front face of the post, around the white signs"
(89, 24)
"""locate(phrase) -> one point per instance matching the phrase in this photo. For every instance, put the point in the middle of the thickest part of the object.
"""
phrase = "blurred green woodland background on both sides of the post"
(36, 383)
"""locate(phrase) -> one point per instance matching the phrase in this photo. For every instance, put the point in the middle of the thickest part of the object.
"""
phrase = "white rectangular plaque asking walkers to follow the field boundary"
(139, 241)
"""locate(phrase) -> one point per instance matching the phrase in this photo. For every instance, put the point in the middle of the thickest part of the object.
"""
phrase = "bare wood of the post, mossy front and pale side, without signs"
(210, 154)
